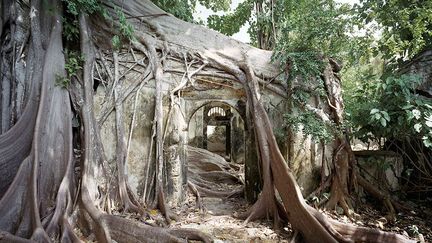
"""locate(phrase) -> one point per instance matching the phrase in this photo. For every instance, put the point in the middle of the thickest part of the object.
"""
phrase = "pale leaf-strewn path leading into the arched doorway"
(218, 218)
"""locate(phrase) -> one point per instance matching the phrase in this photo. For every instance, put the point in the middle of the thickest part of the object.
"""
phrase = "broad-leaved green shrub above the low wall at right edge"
(390, 108)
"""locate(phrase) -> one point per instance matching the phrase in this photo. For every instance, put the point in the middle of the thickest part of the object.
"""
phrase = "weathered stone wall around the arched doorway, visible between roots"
(180, 130)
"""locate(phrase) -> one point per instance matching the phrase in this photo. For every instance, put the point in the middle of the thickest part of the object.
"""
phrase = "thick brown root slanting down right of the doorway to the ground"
(300, 215)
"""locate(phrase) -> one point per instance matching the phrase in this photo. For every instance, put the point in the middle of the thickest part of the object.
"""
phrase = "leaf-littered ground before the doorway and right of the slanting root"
(219, 220)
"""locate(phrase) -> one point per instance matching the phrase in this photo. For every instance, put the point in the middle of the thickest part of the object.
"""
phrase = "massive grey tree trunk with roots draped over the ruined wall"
(41, 196)
